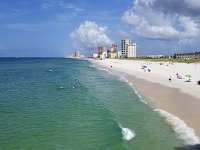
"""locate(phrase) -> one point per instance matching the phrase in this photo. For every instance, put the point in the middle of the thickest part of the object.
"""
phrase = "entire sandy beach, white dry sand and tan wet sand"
(180, 96)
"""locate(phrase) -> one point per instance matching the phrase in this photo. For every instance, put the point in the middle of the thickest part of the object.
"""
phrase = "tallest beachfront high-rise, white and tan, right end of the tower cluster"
(128, 48)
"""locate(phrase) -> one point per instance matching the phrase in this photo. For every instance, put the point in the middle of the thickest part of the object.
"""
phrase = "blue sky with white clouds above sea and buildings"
(56, 28)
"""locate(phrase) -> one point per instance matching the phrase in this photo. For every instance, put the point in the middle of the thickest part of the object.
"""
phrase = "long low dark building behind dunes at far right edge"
(195, 55)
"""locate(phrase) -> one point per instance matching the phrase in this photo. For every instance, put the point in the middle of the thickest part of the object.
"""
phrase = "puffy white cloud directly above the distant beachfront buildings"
(90, 35)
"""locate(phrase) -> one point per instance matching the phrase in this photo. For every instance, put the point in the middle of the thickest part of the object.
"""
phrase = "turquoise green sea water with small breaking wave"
(66, 104)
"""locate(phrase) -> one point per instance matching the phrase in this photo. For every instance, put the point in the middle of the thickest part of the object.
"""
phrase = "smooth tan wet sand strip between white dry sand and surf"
(182, 105)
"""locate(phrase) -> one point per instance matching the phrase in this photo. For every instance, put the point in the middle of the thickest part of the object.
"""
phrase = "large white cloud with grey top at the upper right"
(147, 22)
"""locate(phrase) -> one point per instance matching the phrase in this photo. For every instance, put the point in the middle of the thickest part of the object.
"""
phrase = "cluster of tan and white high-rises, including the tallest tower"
(128, 50)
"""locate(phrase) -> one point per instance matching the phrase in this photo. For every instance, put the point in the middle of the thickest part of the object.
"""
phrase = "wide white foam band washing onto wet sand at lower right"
(179, 126)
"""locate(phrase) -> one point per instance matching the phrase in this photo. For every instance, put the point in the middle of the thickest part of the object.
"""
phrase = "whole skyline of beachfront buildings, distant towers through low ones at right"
(128, 50)
